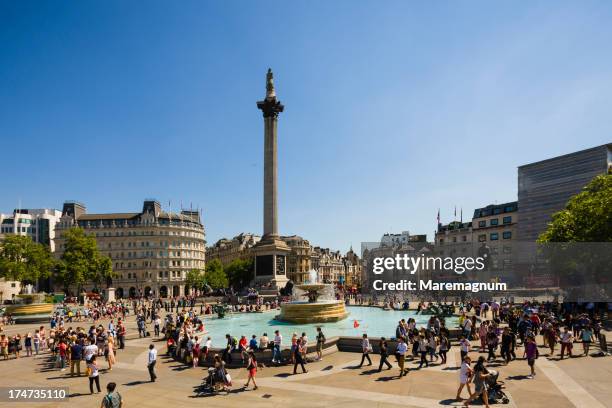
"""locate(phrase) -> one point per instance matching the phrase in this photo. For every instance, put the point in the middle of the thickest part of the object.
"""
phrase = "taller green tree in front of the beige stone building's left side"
(81, 261)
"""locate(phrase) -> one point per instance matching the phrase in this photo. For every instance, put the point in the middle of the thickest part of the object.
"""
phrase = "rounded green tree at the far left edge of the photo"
(24, 260)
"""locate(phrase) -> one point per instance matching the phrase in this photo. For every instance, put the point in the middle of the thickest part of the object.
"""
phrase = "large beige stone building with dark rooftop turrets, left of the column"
(151, 250)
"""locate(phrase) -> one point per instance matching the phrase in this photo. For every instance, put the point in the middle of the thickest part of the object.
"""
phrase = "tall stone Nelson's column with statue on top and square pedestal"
(271, 251)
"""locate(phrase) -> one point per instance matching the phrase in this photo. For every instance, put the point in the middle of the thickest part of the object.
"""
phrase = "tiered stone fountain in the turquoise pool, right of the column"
(313, 303)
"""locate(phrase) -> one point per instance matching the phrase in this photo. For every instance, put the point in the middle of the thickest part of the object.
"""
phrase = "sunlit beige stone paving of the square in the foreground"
(581, 382)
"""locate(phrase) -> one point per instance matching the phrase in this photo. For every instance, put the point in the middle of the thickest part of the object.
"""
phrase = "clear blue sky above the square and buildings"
(392, 109)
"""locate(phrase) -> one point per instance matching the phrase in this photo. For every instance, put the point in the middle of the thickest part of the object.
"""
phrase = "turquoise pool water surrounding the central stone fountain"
(372, 320)
